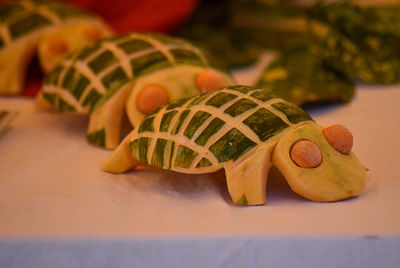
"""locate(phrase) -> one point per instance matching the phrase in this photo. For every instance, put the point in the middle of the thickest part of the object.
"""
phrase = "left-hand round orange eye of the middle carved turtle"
(151, 97)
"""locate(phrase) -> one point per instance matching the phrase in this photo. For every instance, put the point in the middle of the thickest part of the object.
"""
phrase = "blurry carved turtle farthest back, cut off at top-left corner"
(52, 28)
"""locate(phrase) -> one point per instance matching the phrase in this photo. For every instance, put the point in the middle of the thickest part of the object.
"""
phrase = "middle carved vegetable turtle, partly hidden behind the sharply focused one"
(141, 70)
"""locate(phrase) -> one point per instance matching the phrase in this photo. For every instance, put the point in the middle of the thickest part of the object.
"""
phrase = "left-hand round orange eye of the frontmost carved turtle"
(306, 154)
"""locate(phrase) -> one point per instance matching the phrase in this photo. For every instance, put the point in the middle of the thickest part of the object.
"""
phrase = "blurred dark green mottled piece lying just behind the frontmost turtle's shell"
(300, 76)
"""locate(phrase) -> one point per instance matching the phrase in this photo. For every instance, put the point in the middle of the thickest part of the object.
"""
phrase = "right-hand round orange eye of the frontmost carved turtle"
(339, 137)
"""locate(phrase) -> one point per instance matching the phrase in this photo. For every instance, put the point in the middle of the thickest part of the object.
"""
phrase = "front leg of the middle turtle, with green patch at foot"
(105, 121)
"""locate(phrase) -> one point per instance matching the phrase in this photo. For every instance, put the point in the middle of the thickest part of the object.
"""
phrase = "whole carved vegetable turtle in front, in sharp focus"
(245, 130)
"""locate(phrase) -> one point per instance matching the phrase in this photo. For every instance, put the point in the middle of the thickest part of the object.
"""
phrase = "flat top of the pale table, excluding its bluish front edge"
(51, 184)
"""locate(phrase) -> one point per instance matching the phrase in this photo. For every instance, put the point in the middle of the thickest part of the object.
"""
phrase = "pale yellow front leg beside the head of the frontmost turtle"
(247, 180)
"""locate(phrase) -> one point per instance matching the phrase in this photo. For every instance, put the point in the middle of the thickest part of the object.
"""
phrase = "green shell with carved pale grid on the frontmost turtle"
(200, 134)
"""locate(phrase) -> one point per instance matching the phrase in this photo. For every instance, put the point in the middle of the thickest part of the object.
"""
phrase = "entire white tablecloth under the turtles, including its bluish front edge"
(59, 209)
